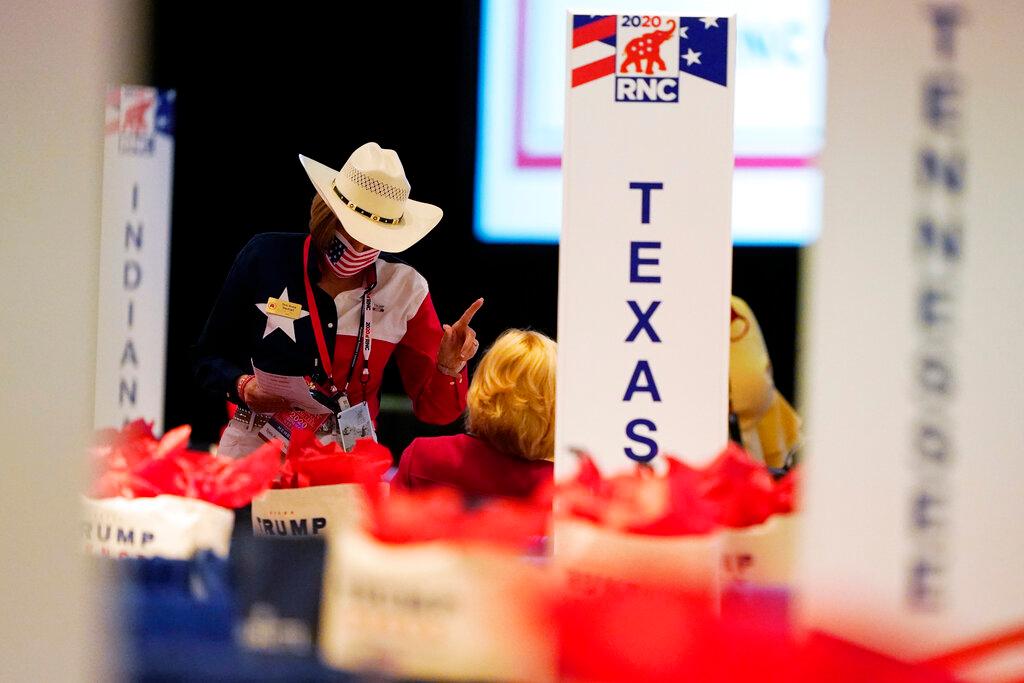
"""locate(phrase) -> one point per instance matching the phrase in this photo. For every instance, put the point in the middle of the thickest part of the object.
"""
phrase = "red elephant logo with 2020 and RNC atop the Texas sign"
(648, 69)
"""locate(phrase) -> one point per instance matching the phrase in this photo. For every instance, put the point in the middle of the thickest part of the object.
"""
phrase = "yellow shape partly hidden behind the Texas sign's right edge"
(769, 425)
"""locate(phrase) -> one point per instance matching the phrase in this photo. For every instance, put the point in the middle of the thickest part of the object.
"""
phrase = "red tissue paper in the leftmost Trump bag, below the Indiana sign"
(133, 463)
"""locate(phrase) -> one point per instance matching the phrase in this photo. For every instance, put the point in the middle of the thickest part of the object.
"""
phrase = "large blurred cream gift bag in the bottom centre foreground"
(435, 611)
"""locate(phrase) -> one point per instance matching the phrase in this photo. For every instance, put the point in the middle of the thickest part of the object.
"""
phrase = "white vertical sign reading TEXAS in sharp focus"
(645, 271)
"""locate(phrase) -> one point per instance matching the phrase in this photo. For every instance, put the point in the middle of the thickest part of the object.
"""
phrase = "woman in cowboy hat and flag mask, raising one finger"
(324, 306)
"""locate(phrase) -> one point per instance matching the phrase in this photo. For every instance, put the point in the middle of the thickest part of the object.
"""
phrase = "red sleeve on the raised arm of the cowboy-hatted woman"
(438, 399)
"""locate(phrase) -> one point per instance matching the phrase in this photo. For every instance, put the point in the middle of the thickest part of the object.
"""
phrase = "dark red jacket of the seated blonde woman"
(472, 465)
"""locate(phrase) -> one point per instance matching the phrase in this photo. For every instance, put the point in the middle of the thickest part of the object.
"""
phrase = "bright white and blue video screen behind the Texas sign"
(780, 116)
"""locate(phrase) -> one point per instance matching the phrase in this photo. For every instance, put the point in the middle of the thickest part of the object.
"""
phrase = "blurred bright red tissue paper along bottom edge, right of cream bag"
(658, 635)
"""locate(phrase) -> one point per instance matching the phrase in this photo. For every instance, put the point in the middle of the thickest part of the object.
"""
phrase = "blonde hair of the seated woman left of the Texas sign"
(511, 402)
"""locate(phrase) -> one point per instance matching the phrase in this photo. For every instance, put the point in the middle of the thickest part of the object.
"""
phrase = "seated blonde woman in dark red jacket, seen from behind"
(509, 446)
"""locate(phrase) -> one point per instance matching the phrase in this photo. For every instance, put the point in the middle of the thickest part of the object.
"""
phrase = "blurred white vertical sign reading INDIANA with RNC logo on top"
(135, 253)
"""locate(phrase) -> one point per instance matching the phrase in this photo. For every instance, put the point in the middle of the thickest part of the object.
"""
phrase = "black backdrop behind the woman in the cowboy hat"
(259, 87)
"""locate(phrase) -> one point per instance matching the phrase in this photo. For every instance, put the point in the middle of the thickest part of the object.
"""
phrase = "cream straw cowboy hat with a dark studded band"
(370, 196)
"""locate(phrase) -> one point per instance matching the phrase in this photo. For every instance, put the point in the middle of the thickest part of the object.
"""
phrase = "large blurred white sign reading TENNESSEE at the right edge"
(915, 378)
